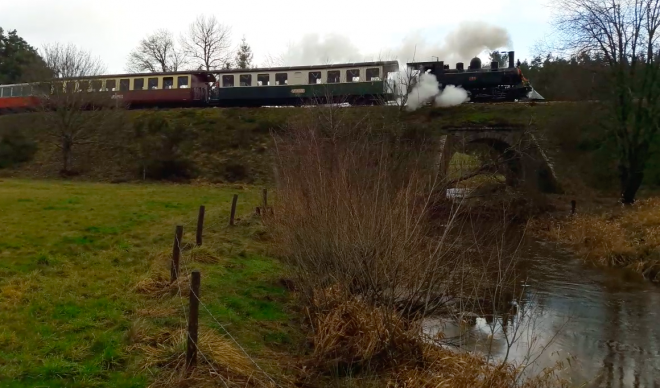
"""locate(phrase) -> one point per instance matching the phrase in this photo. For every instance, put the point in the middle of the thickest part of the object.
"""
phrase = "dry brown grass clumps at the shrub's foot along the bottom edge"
(354, 336)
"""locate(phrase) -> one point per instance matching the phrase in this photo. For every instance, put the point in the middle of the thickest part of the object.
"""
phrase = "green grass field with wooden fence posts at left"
(81, 278)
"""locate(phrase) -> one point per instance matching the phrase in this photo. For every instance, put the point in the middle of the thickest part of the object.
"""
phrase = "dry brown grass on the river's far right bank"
(626, 237)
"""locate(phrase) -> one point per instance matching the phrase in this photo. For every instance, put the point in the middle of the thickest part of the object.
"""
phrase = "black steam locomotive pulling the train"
(482, 84)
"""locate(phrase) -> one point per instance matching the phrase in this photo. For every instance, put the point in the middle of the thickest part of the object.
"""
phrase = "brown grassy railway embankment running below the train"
(231, 145)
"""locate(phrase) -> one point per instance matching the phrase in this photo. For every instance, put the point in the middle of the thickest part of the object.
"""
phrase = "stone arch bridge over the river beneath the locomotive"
(521, 157)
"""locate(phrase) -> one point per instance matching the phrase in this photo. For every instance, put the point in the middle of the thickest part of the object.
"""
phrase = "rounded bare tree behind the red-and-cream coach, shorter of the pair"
(156, 53)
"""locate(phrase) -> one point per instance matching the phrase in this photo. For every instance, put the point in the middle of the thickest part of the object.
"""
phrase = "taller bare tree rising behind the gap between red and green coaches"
(208, 43)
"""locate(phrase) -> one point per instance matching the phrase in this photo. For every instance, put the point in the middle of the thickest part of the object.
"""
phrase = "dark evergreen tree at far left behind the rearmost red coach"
(19, 62)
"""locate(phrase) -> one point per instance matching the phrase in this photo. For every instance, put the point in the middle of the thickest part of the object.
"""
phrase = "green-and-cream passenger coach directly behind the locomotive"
(363, 83)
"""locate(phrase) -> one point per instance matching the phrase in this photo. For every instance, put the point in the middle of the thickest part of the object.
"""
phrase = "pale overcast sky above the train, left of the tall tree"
(286, 28)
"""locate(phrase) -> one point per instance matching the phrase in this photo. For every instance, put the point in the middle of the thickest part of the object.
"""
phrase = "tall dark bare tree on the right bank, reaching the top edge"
(625, 33)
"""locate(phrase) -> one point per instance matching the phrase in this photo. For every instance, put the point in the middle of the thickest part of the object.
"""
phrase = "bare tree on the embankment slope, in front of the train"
(74, 108)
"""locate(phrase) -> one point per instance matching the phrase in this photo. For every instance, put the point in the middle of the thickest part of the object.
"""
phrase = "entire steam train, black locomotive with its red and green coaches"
(360, 83)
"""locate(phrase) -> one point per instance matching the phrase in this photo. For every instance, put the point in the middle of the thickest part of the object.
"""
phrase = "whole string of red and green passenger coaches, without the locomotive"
(355, 83)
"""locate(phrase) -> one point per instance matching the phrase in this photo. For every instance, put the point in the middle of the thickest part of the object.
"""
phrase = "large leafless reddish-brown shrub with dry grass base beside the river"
(375, 247)
